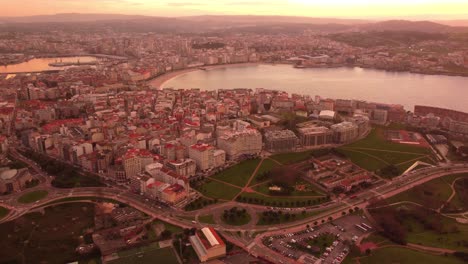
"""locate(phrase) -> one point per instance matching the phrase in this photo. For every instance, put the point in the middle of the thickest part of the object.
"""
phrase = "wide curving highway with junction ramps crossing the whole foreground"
(182, 218)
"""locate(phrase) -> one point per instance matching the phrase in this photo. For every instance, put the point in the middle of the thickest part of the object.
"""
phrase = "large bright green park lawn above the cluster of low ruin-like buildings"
(375, 152)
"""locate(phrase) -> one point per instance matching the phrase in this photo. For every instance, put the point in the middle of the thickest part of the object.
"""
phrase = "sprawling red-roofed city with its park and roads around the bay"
(279, 177)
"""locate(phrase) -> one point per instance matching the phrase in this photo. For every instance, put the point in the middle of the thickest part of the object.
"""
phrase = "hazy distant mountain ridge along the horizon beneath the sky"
(242, 22)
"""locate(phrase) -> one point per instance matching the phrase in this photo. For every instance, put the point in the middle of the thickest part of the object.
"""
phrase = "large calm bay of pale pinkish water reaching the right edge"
(407, 89)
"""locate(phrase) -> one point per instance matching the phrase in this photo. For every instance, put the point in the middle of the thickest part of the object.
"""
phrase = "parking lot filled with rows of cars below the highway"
(321, 244)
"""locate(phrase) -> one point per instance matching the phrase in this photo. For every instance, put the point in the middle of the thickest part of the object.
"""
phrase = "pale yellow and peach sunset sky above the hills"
(449, 9)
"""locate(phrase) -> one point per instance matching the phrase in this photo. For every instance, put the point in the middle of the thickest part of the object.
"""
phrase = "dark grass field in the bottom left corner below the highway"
(51, 237)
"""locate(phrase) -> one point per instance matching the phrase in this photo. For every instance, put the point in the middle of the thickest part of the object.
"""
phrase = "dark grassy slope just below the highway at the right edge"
(432, 194)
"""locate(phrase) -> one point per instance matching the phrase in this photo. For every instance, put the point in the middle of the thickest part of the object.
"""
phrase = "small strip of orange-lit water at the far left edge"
(42, 64)
